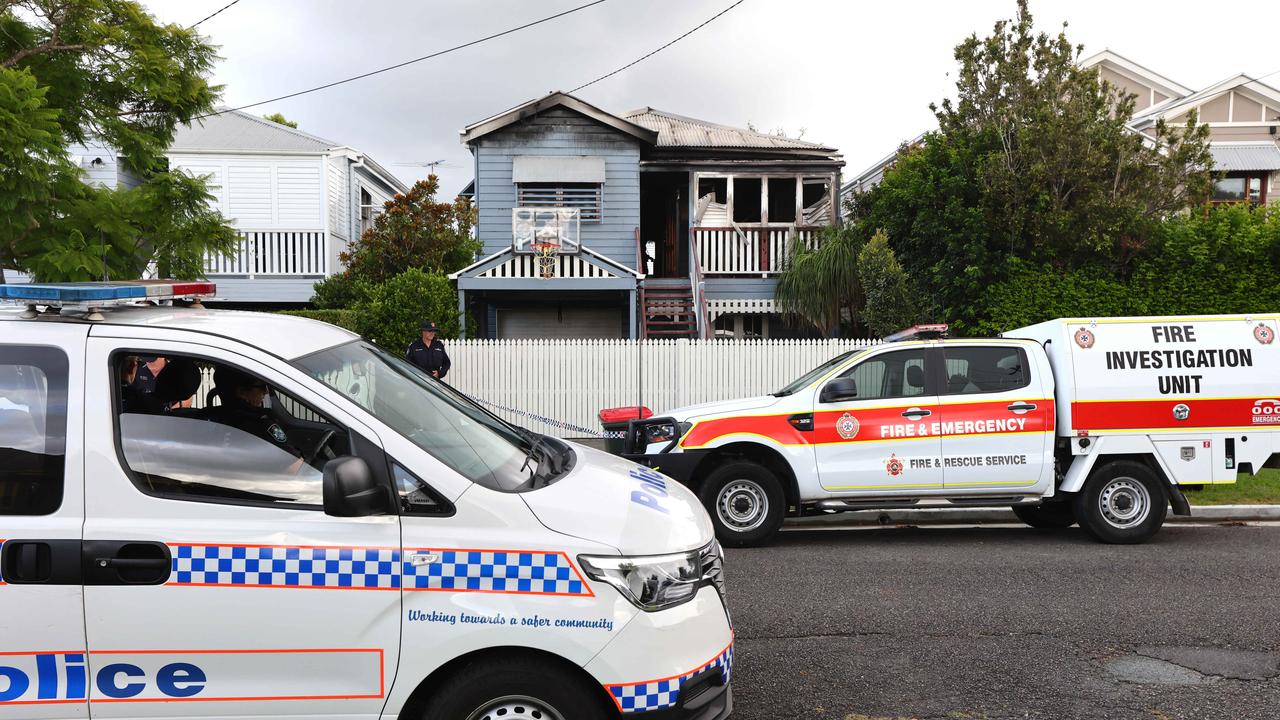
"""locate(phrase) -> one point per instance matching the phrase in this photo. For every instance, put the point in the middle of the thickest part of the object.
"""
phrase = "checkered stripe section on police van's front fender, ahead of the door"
(495, 571)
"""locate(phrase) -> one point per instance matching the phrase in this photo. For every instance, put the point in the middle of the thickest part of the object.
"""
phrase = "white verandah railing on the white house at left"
(275, 253)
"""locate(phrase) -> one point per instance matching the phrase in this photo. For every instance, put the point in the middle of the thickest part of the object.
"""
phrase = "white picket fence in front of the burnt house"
(570, 381)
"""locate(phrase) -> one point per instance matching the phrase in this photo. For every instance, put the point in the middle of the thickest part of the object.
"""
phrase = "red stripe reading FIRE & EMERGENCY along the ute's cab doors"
(886, 423)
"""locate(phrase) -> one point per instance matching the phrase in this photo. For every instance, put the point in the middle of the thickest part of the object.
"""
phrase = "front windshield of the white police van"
(440, 421)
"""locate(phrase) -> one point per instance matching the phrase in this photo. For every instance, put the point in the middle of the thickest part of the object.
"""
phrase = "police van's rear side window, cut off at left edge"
(33, 430)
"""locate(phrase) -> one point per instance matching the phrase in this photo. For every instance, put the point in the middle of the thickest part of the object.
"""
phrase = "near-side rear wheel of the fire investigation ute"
(1122, 503)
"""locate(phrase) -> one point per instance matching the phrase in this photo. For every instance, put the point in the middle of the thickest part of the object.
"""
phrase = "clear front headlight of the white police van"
(653, 582)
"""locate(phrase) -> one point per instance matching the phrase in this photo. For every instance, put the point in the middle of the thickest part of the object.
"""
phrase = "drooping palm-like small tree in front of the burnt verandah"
(822, 286)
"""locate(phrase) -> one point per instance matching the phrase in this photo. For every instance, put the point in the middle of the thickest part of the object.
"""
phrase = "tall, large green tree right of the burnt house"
(1034, 161)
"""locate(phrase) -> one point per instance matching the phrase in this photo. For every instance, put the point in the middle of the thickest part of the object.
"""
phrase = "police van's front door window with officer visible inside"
(216, 434)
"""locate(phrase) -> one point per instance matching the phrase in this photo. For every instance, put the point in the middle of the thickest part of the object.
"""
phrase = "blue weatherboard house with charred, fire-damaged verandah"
(642, 225)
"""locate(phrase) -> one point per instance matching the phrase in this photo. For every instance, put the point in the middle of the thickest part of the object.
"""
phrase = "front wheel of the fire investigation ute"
(746, 503)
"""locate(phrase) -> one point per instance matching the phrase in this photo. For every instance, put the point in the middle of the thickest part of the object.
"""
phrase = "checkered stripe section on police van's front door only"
(340, 568)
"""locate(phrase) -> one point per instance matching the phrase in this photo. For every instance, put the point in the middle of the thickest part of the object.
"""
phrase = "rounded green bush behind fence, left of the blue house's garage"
(392, 312)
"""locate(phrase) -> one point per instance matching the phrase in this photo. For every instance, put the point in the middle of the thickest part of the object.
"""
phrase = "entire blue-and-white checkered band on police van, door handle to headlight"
(373, 568)
